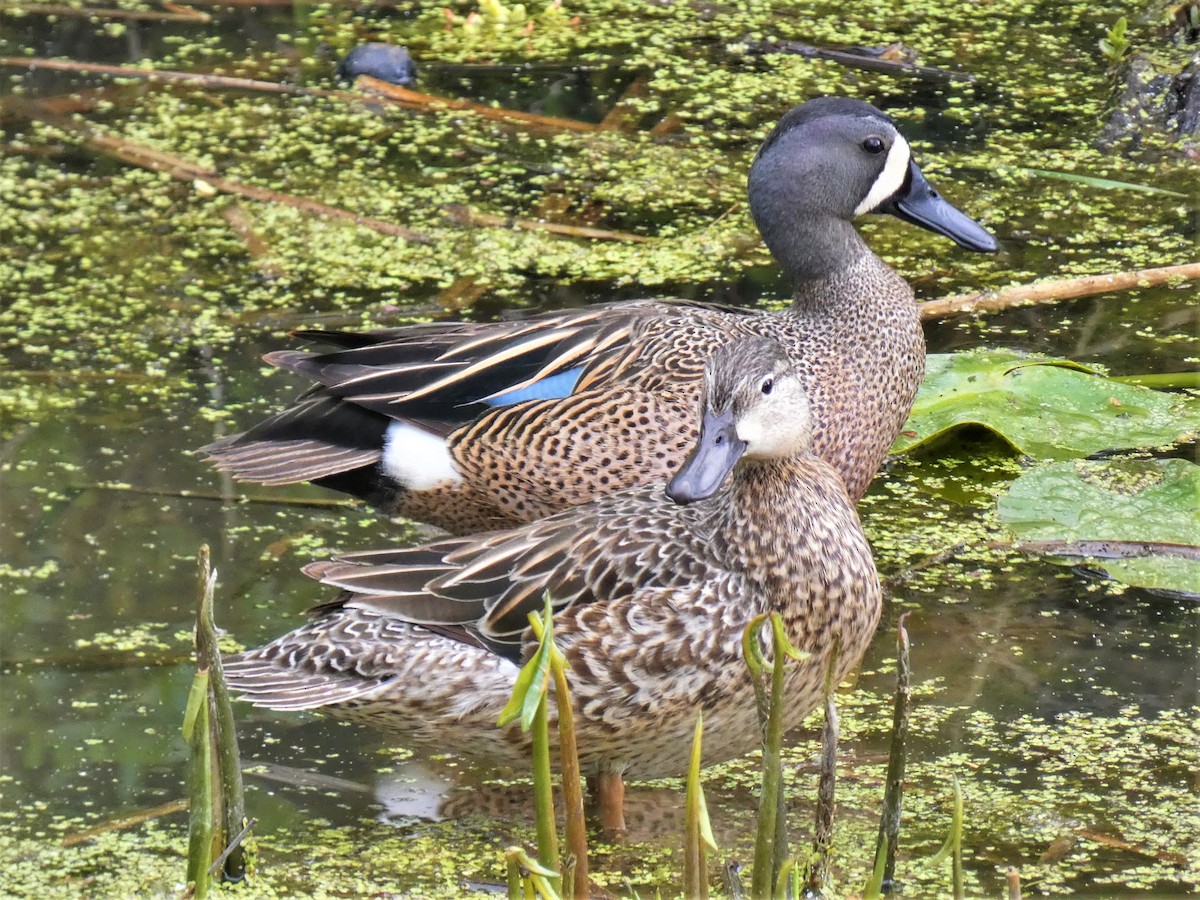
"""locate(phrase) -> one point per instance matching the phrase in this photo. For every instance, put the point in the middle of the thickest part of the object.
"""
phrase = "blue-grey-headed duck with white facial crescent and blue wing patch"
(477, 427)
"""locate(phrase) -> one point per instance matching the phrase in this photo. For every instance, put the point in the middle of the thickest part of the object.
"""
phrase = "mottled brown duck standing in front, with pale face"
(652, 590)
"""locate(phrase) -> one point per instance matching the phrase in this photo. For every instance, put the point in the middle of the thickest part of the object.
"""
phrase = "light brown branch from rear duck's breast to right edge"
(1049, 292)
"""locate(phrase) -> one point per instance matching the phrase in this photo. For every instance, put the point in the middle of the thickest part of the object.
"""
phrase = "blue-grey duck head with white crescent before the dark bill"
(829, 163)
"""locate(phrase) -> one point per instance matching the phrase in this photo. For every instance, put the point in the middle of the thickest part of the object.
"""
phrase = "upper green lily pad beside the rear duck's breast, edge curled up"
(1052, 410)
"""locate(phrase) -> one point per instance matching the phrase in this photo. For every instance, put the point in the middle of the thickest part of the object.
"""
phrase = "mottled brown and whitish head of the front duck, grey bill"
(754, 409)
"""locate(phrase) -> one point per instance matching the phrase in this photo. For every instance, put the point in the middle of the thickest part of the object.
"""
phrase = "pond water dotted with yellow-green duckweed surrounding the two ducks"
(135, 309)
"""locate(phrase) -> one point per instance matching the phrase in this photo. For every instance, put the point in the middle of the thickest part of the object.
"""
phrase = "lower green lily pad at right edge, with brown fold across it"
(1138, 519)
